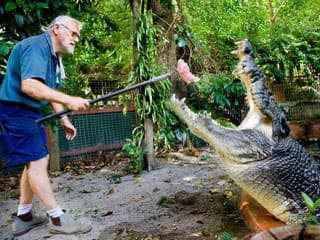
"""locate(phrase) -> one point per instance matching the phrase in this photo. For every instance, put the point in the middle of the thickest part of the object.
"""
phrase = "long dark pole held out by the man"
(110, 95)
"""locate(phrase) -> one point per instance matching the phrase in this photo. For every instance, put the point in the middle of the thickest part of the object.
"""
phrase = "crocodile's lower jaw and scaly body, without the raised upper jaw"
(271, 173)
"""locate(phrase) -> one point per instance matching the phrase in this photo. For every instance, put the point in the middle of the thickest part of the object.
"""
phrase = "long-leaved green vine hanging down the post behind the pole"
(150, 101)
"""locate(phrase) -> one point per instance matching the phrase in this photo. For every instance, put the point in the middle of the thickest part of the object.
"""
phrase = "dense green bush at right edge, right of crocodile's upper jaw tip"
(287, 55)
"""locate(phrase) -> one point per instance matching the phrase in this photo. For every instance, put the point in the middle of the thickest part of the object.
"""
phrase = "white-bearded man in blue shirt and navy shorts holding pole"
(34, 72)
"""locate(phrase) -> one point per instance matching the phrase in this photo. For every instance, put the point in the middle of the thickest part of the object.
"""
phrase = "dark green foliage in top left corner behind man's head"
(21, 19)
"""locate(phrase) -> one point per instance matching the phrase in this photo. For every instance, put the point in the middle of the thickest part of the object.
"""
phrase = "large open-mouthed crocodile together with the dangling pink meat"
(259, 154)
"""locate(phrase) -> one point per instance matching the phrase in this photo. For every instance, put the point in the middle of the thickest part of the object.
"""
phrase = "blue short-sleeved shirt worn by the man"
(33, 57)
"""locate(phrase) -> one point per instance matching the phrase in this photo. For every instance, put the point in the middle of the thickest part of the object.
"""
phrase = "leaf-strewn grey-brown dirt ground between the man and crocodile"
(187, 197)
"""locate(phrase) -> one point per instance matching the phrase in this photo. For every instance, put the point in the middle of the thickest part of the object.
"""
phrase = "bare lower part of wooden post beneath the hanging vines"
(148, 139)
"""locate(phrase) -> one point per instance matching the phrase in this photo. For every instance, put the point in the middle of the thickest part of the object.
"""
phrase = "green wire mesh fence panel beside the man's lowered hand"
(99, 131)
